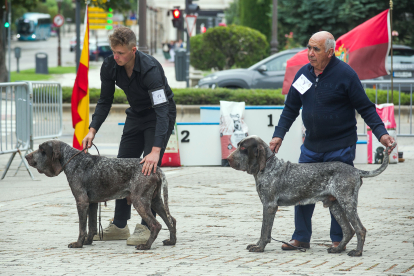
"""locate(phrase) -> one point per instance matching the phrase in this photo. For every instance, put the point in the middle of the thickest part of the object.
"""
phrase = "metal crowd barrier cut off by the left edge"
(15, 121)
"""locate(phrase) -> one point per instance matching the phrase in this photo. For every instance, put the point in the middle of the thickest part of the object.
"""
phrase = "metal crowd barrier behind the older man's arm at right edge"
(401, 87)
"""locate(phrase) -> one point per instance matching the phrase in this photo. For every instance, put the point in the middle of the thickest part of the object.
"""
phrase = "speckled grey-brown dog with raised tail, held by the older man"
(280, 183)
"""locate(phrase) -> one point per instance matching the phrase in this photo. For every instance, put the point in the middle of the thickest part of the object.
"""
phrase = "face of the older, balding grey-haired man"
(316, 53)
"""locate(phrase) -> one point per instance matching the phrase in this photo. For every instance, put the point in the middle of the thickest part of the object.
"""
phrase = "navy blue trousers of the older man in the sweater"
(303, 213)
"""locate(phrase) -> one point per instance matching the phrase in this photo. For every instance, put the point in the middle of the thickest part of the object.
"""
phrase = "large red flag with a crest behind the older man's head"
(365, 48)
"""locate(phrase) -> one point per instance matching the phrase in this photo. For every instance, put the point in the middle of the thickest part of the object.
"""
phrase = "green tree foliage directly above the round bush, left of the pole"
(254, 14)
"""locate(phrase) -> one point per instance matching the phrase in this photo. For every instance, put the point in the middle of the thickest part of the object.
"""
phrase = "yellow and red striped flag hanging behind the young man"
(80, 93)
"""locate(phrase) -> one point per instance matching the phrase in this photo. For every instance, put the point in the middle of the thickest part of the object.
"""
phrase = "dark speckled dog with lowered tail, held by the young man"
(94, 179)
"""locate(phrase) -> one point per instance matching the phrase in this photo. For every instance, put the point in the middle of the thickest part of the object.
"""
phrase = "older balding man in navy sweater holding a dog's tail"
(329, 91)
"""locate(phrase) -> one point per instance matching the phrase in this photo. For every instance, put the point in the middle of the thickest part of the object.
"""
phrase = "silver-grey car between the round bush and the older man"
(268, 74)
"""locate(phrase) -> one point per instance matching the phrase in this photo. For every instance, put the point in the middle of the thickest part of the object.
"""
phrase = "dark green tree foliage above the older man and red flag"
(304, 18)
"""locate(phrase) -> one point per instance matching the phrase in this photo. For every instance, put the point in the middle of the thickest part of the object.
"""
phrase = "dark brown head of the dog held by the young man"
(47, 158)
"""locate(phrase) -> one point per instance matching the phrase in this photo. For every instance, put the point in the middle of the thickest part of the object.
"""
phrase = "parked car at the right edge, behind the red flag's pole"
(403, 68)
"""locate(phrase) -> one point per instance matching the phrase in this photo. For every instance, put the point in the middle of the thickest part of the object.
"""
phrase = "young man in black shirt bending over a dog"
(149, 123)
